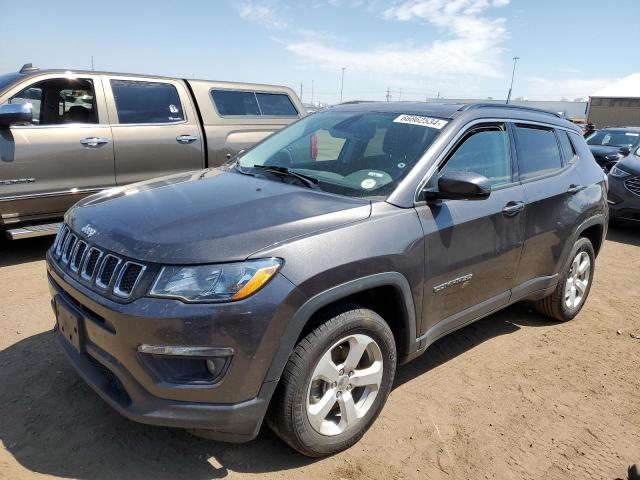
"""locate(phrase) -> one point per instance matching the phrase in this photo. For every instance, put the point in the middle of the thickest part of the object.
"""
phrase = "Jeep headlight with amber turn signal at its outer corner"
(214, 283)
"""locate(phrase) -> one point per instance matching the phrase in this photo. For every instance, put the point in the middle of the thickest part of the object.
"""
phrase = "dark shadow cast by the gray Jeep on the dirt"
(54, 424)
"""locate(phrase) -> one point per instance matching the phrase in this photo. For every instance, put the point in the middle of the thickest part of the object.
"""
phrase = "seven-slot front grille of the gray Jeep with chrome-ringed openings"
(108, 272)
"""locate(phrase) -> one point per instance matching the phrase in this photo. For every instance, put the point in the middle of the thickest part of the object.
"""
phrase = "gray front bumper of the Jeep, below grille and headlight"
(231, 409)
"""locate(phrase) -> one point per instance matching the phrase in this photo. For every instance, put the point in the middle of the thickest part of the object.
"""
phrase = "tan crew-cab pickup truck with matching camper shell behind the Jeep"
(67, 134)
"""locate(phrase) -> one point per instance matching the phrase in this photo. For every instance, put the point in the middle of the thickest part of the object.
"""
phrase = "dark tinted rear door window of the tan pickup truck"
(146, 102)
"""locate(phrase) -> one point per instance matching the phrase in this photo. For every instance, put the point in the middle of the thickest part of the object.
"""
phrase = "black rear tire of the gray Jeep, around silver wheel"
(556, 305)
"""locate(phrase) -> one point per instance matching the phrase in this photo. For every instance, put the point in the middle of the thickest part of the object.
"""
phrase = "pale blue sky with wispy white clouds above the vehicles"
(415, 48)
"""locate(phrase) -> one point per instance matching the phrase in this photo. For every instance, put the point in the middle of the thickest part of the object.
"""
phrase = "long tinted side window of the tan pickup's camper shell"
(245, 103)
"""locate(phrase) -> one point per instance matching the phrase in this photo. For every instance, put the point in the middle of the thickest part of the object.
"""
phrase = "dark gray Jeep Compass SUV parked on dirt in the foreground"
(288, 284)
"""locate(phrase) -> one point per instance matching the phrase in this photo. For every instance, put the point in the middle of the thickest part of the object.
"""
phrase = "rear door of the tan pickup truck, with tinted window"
(155, 128)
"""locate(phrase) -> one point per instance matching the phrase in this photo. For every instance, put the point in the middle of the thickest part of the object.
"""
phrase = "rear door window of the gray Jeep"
(538, 152)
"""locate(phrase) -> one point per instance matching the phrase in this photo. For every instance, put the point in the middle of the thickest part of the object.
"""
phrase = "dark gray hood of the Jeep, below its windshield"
(208, 217)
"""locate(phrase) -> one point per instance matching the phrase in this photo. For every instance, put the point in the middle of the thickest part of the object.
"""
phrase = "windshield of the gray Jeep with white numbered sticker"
(349, 153)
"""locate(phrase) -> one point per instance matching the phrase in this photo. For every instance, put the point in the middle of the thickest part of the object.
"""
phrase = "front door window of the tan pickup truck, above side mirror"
(60, 101)
